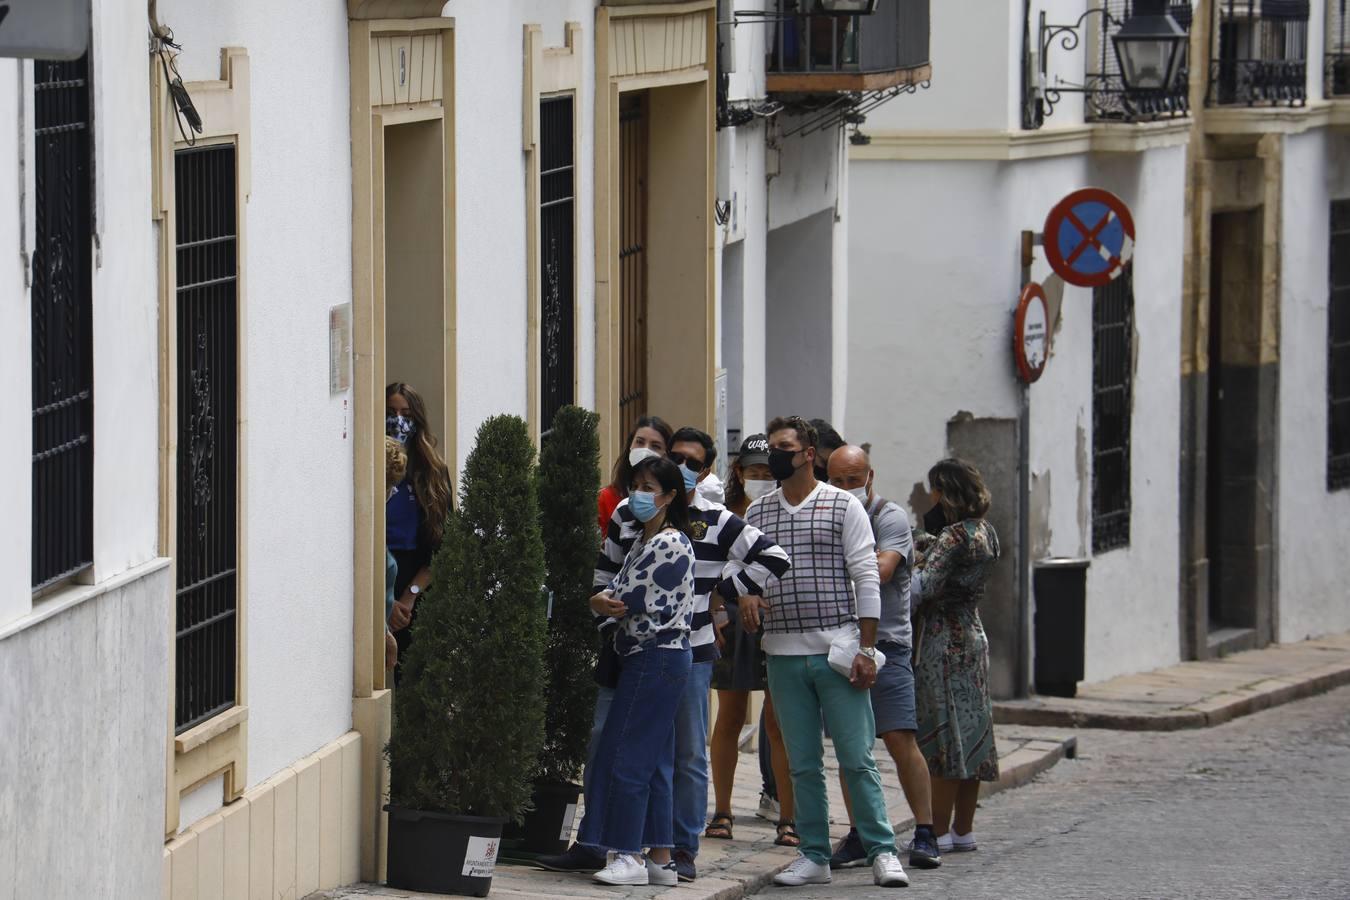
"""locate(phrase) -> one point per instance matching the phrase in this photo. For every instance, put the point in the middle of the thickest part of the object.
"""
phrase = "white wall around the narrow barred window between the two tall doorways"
(491, 198)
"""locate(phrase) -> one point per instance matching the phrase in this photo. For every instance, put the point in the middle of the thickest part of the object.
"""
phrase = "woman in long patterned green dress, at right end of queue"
(951, 651)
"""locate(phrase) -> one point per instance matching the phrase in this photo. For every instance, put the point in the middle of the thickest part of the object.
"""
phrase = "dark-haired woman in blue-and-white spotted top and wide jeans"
(630, 794)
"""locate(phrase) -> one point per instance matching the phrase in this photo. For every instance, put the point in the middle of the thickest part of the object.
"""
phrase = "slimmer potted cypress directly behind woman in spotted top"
(569, 481)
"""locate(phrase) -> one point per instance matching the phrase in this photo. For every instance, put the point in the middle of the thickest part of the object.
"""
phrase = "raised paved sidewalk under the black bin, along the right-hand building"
(1194, 696)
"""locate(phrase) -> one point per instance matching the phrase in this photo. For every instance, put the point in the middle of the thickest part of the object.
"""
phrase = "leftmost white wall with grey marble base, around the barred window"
(86, 698)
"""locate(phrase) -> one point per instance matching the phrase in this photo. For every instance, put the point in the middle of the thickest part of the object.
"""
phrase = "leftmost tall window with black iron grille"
(63, 300)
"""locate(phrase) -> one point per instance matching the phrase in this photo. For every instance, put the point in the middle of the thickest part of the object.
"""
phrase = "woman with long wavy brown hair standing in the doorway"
(416, 511)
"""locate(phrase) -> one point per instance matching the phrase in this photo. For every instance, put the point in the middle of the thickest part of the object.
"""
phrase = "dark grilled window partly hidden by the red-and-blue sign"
(1113, 369)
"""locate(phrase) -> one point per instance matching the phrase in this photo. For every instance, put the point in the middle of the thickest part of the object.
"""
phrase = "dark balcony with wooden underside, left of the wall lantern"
(821, 53)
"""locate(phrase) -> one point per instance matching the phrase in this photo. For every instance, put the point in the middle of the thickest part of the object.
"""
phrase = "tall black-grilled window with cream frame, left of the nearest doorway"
(207, 252)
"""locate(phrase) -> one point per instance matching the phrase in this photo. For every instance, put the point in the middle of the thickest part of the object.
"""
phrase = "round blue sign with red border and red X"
(1089, 238)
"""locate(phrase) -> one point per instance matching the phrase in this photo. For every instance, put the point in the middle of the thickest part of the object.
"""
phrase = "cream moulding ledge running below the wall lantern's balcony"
(994, 145)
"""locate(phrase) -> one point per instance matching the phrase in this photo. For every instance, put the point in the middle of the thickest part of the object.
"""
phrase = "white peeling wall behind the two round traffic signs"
(935, 276)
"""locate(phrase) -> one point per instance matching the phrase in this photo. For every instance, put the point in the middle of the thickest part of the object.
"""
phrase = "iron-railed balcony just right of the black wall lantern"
(1260, 53)
